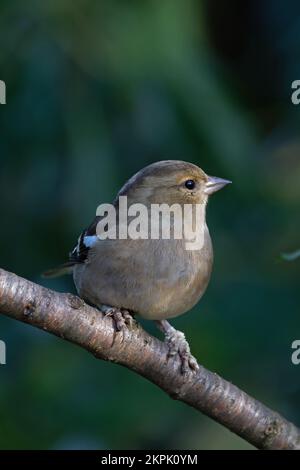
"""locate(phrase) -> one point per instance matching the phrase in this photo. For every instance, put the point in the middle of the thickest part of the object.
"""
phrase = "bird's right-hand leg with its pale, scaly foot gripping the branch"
(178, 345)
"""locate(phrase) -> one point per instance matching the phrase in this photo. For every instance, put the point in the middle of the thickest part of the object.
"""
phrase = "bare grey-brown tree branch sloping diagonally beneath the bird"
(68, 317)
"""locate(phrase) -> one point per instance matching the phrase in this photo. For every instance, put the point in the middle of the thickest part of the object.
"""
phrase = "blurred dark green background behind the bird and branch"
(95, 91)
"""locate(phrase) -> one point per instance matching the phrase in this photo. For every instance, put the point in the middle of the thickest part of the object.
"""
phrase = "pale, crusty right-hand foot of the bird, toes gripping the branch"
(178, 345)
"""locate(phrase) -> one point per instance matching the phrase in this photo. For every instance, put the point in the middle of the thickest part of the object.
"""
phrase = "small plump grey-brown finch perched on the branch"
(156, 278)
